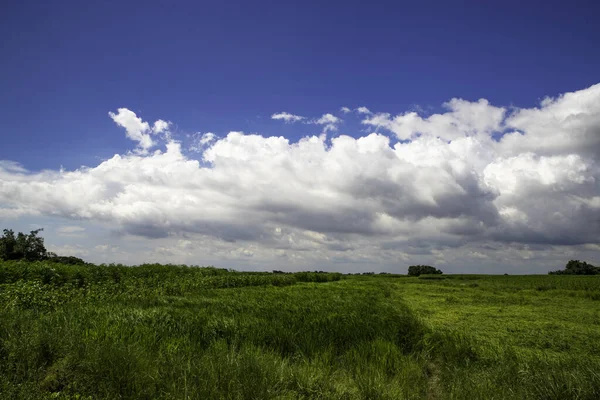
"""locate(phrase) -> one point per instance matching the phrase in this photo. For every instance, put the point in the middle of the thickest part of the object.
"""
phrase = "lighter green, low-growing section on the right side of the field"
(502, 337)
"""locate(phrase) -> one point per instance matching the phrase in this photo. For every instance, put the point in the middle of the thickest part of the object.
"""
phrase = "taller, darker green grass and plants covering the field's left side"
(178, 332)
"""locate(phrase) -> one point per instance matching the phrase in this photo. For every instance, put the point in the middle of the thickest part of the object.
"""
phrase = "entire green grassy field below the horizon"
(166, 332)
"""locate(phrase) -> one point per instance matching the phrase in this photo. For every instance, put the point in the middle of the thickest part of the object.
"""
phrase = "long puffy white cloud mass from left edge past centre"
(357, 186)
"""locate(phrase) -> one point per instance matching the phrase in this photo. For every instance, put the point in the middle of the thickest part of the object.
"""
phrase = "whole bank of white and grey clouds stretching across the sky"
(477, 180)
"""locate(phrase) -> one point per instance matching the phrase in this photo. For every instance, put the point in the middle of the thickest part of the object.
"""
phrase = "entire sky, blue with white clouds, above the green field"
(343, 136)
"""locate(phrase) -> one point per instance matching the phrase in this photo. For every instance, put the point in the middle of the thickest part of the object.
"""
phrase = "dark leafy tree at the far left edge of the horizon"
(22, 247)
